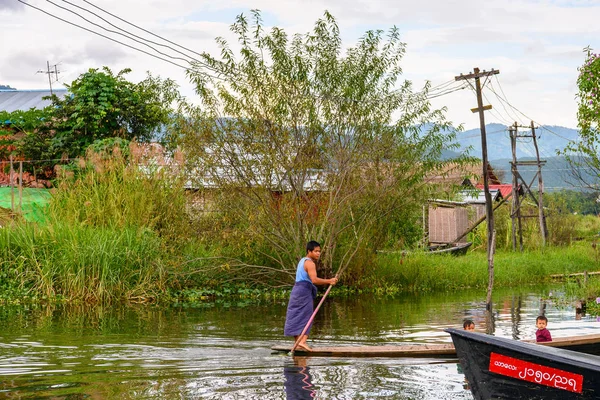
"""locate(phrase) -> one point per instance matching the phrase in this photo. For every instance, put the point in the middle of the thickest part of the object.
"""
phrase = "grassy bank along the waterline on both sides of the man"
(112, 232)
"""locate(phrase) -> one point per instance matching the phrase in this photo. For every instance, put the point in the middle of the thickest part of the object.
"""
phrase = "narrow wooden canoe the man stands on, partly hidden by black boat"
(589, 344)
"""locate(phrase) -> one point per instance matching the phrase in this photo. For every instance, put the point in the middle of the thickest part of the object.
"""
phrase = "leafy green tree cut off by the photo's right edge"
(583, 154)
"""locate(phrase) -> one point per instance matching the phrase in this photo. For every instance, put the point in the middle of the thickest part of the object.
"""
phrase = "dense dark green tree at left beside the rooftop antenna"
(100, 105)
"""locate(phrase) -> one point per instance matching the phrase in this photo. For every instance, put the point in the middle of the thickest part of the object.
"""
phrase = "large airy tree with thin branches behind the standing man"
(298, 139)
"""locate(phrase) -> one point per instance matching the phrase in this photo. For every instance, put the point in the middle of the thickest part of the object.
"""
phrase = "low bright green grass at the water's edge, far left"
(76, 262)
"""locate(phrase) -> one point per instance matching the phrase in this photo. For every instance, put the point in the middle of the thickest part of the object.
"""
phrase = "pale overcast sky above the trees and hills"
(536, 44)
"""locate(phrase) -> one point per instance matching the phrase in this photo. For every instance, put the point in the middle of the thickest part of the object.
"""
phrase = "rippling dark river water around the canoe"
(222, 350)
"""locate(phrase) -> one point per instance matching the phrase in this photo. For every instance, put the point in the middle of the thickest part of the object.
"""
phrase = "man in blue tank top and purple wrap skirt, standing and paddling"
(300, 306)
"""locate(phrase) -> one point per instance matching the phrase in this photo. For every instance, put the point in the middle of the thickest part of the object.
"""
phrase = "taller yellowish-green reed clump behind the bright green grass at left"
(118, 192)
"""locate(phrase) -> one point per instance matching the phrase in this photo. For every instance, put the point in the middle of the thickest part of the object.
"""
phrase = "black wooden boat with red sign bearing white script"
(499, 368)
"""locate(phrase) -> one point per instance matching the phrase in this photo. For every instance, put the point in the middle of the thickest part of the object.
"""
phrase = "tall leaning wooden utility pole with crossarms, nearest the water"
(489, 213)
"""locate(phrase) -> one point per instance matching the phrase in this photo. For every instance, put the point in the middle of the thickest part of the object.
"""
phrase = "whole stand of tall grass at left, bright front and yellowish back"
(111, 229)
